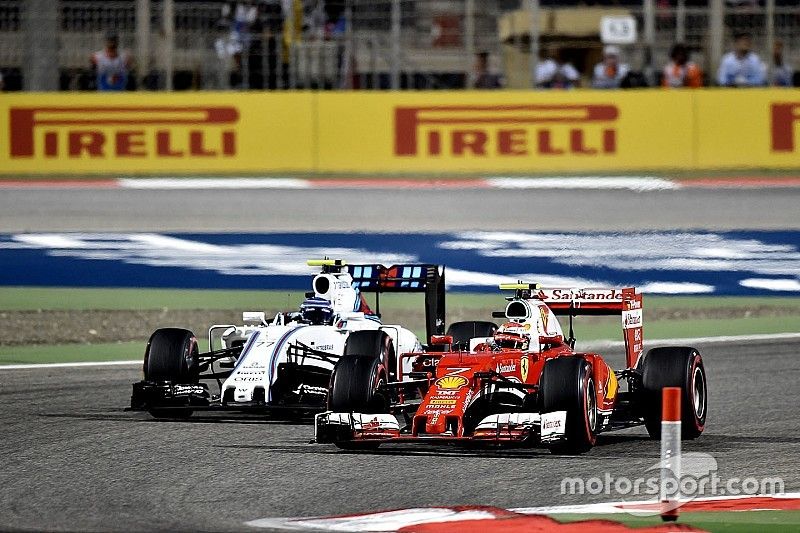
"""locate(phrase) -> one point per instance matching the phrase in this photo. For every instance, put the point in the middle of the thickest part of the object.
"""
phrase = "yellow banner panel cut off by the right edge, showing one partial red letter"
(748, 128)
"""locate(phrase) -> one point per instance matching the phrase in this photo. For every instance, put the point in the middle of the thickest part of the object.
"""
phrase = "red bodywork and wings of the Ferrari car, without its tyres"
(451, 382)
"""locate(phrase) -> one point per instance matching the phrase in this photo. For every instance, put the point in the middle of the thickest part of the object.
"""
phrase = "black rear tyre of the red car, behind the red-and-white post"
(675, 366)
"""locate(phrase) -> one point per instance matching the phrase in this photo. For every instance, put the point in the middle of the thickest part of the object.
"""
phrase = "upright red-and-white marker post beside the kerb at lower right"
(670, 452)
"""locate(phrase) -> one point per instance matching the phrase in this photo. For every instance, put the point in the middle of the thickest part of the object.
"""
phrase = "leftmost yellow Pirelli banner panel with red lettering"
(148, 133)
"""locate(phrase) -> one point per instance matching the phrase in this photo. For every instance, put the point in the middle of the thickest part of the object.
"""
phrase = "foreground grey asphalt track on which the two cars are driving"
(74, 460)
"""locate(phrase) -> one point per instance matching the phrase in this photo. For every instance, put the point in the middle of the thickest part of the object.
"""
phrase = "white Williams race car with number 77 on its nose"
(286, 362)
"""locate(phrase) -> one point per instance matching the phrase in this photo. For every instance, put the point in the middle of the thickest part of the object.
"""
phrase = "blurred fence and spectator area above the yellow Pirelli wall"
(379, 44)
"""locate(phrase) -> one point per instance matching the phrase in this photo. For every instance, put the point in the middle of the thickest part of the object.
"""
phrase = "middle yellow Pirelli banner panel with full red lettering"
(505, 131)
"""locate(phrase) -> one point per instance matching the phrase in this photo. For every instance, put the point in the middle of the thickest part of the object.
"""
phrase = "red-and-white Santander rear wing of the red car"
(573, 302)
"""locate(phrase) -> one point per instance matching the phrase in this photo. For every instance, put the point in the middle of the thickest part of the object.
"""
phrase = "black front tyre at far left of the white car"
(171, 355)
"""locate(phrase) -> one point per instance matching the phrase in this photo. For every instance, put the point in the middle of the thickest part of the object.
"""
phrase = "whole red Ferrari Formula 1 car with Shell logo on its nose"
(522, 383)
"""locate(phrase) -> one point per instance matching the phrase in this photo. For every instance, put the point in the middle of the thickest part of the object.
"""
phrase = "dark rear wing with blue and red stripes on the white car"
(424, 278)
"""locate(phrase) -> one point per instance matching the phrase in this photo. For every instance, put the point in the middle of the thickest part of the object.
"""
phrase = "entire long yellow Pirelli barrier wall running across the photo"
(492, 132)
